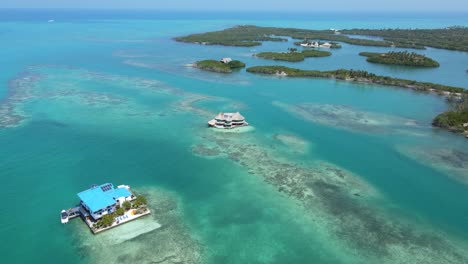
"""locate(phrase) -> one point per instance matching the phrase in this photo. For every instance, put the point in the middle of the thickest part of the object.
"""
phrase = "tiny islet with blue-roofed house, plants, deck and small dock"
(104, 206)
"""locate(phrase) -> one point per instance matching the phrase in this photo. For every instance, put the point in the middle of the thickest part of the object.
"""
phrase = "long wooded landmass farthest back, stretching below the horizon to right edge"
(452, 38)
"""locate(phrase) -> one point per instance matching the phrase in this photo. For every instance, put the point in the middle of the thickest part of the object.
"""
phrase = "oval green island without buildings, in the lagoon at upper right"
(403, 58)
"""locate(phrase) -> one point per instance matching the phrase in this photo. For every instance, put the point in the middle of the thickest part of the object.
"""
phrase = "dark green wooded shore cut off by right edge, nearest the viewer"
(455, 119)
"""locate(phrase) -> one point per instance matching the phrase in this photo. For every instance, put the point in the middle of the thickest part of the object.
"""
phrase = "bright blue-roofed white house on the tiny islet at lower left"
(103, 199)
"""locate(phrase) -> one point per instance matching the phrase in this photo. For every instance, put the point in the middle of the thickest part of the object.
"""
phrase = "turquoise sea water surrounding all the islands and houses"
(105, 96)
